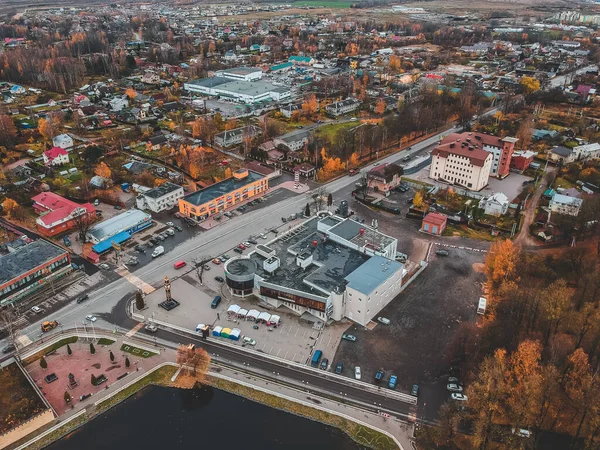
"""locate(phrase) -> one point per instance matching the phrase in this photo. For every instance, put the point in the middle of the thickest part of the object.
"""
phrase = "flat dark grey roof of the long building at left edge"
(27, 258)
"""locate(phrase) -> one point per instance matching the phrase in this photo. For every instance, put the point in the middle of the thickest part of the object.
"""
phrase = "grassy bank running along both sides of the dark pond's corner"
(161, 375)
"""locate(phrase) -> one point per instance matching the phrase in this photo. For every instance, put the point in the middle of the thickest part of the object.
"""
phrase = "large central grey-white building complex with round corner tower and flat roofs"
(326, 269)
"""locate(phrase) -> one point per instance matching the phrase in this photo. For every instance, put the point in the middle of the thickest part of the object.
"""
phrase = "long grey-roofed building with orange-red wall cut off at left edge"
(31, 267)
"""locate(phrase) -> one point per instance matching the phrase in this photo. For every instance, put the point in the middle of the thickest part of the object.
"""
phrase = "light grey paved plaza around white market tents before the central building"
(293, 340)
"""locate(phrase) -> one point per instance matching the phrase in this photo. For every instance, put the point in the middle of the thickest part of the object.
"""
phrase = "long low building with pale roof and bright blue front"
(117, 229)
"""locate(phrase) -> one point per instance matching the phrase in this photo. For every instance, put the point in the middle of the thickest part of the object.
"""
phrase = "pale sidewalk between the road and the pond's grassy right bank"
(401, 430)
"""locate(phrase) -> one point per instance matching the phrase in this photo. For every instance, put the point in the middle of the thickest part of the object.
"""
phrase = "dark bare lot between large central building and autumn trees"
(423, 318)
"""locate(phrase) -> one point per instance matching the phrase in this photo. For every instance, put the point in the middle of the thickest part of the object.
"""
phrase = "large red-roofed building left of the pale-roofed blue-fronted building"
(57, 214)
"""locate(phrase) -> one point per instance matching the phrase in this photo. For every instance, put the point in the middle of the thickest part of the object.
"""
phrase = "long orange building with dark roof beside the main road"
(243, 185)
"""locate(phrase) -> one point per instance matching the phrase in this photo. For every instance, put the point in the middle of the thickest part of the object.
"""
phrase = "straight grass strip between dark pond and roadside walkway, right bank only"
(363, 435)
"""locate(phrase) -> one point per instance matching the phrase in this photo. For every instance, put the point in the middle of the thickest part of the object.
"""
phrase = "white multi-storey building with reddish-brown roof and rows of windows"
(457, 162)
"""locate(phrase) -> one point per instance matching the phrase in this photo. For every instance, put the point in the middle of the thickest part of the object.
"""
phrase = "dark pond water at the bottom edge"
(169, 418)
